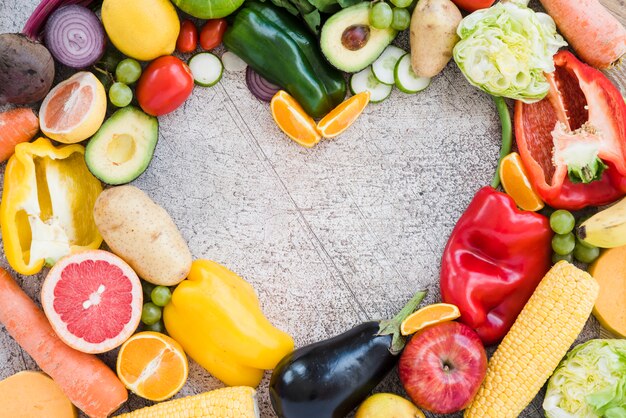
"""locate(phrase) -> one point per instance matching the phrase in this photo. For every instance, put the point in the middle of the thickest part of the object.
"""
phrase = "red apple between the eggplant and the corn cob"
(443, 366)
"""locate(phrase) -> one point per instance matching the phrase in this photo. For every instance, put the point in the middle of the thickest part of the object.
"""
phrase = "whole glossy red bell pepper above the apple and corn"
(493, 261)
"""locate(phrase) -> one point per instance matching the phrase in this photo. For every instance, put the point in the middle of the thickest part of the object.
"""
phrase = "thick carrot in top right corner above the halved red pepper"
(594, 33)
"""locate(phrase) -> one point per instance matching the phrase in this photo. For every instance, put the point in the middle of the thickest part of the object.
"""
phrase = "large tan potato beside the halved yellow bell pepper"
(143, 234)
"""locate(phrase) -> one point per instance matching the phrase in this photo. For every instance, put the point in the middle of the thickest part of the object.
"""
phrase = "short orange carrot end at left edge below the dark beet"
(16, 126)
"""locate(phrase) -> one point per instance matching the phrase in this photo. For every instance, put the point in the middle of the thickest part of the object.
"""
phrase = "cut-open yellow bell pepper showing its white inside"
(47, 205)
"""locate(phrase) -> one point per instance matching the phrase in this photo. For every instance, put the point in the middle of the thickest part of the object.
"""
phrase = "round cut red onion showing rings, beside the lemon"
(75, 36)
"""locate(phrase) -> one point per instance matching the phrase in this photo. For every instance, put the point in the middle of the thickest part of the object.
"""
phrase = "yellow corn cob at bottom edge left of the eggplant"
(232, 402)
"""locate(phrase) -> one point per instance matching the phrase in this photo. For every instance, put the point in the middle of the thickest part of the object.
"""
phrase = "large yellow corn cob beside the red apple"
(543, 332)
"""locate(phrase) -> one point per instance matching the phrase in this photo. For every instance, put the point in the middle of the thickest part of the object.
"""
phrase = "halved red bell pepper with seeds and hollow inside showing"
(573, 142)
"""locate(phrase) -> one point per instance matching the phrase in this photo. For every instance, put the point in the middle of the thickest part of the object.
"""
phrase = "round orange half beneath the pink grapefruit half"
(152, 365)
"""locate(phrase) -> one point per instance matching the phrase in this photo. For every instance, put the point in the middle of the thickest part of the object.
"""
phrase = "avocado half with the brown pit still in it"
(348, 41)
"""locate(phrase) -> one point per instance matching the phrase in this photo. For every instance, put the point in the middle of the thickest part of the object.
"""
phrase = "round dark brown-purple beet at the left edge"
(26, 69)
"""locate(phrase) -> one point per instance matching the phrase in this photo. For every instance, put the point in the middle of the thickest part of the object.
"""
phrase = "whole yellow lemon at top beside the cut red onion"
(141, 29)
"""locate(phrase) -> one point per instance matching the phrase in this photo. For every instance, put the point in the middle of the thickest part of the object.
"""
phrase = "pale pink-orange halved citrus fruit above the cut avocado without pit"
(73, 110)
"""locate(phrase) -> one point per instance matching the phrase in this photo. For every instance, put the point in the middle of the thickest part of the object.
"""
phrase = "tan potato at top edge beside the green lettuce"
(433, 35)
